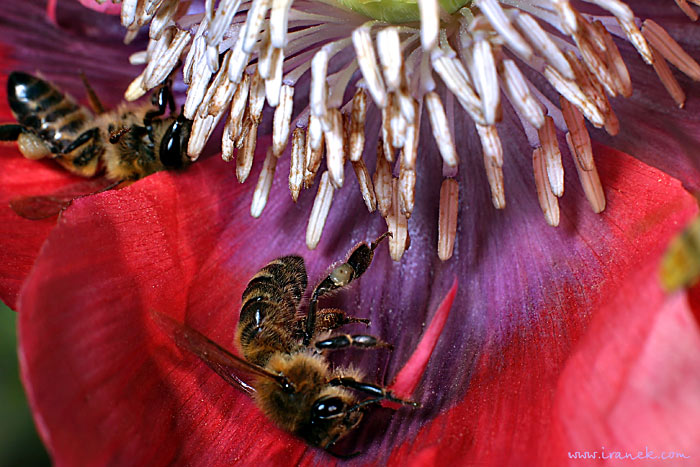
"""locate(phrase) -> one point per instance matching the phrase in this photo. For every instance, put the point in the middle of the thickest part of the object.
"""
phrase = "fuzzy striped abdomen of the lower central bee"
(270, 302)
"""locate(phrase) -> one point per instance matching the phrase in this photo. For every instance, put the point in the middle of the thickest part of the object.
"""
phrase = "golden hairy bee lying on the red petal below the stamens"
(283, 350)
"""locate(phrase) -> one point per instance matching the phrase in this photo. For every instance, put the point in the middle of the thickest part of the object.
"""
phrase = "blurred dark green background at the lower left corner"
(19, 442)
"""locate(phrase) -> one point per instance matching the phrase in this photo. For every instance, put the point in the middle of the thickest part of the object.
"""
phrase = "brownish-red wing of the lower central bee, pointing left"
(223, 362)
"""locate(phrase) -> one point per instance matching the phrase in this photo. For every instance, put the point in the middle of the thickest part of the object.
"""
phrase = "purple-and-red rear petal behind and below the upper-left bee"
(88, 42)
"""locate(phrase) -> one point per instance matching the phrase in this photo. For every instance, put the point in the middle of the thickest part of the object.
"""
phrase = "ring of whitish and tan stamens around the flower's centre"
(245, 53)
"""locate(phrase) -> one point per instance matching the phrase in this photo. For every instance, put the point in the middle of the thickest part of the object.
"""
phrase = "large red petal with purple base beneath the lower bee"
(106, 385)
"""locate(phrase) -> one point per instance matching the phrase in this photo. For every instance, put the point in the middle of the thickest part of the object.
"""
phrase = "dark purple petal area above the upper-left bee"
(84, 40)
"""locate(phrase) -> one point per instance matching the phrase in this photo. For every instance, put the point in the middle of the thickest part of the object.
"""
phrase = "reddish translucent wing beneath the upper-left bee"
(43, 207)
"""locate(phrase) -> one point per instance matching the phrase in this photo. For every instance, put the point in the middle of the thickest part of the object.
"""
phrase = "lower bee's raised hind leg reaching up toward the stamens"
(359, 260)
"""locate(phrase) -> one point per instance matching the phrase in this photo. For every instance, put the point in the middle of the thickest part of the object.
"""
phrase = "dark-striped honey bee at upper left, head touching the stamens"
(125, 144)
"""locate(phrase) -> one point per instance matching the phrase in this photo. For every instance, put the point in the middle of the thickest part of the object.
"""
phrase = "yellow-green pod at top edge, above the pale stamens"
(397, 11)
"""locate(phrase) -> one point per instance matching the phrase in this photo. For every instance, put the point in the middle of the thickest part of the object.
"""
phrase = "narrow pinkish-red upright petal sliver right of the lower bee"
(408, 377)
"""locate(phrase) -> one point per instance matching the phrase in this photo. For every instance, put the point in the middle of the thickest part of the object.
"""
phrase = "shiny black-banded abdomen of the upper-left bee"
(39, 106)
